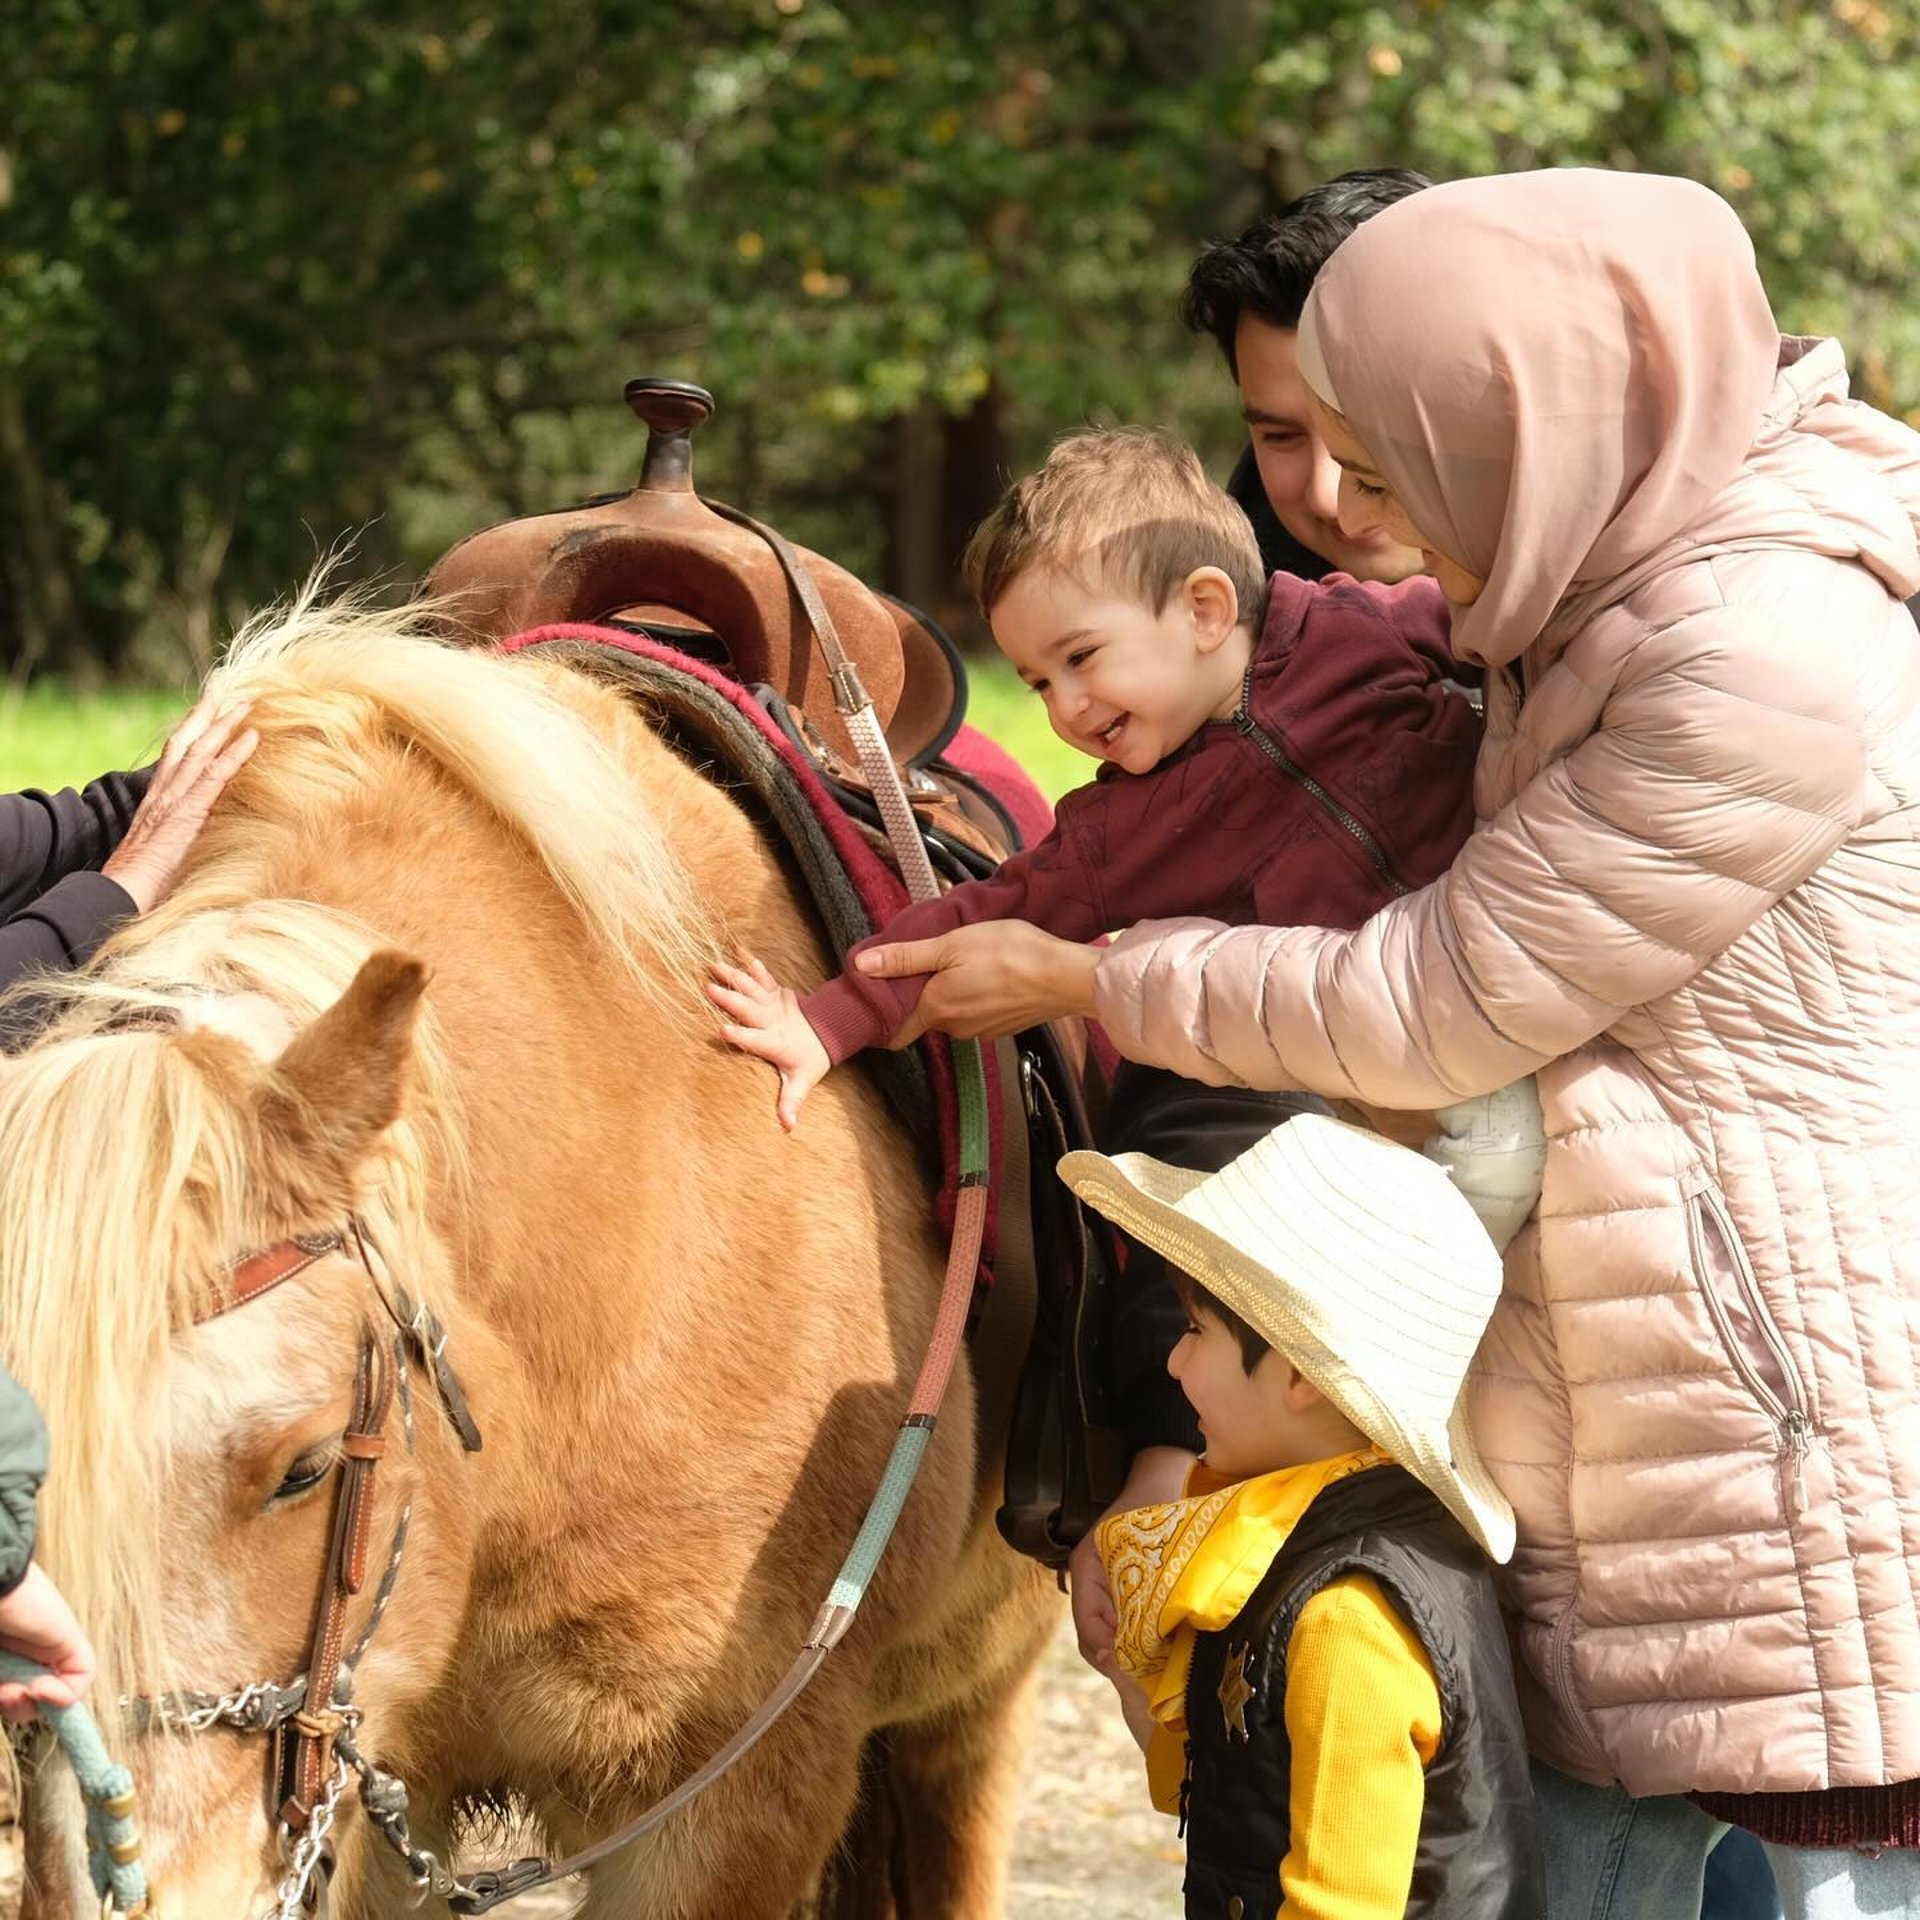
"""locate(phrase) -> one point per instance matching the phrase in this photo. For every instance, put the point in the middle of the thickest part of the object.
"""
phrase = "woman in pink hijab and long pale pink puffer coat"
(1692, 907)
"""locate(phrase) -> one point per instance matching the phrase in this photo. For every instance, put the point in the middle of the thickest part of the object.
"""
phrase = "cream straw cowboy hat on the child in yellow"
(1353, 1259)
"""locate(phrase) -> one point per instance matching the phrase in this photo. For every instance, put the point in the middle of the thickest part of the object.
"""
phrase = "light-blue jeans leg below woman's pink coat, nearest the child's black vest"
(1616, 1858)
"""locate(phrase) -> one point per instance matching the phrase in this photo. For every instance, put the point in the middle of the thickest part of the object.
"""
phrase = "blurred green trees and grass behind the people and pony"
(291, 270)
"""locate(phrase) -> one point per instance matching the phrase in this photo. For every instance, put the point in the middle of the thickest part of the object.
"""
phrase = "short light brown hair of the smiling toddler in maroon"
(1126, 502)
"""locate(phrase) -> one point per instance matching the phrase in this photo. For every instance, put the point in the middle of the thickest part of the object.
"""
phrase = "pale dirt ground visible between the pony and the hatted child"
(1088, 1838)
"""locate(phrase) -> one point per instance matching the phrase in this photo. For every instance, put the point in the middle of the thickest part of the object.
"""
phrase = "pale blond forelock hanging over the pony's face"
(130, 1180)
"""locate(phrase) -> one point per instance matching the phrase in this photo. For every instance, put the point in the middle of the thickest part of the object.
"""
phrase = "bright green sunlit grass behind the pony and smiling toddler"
(55, 738)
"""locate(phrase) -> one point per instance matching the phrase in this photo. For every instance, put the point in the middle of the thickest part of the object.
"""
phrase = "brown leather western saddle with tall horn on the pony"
(736, 596)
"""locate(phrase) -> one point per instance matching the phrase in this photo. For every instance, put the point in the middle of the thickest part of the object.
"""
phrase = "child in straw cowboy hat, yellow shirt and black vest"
(1320, 1662)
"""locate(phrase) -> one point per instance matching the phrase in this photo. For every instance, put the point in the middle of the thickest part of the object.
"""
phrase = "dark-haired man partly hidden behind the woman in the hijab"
(1249, 295)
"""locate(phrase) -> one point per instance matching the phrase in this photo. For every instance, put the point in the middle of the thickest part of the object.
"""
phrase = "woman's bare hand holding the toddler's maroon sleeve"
(994, 978)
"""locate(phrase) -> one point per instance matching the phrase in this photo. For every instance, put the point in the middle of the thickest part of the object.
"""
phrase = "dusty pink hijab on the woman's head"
(1554, 372)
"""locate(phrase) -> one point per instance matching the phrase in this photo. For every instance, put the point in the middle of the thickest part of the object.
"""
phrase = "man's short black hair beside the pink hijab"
(1270, 270)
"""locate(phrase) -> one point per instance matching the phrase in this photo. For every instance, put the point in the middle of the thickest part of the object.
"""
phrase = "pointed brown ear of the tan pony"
(341, 1082)
